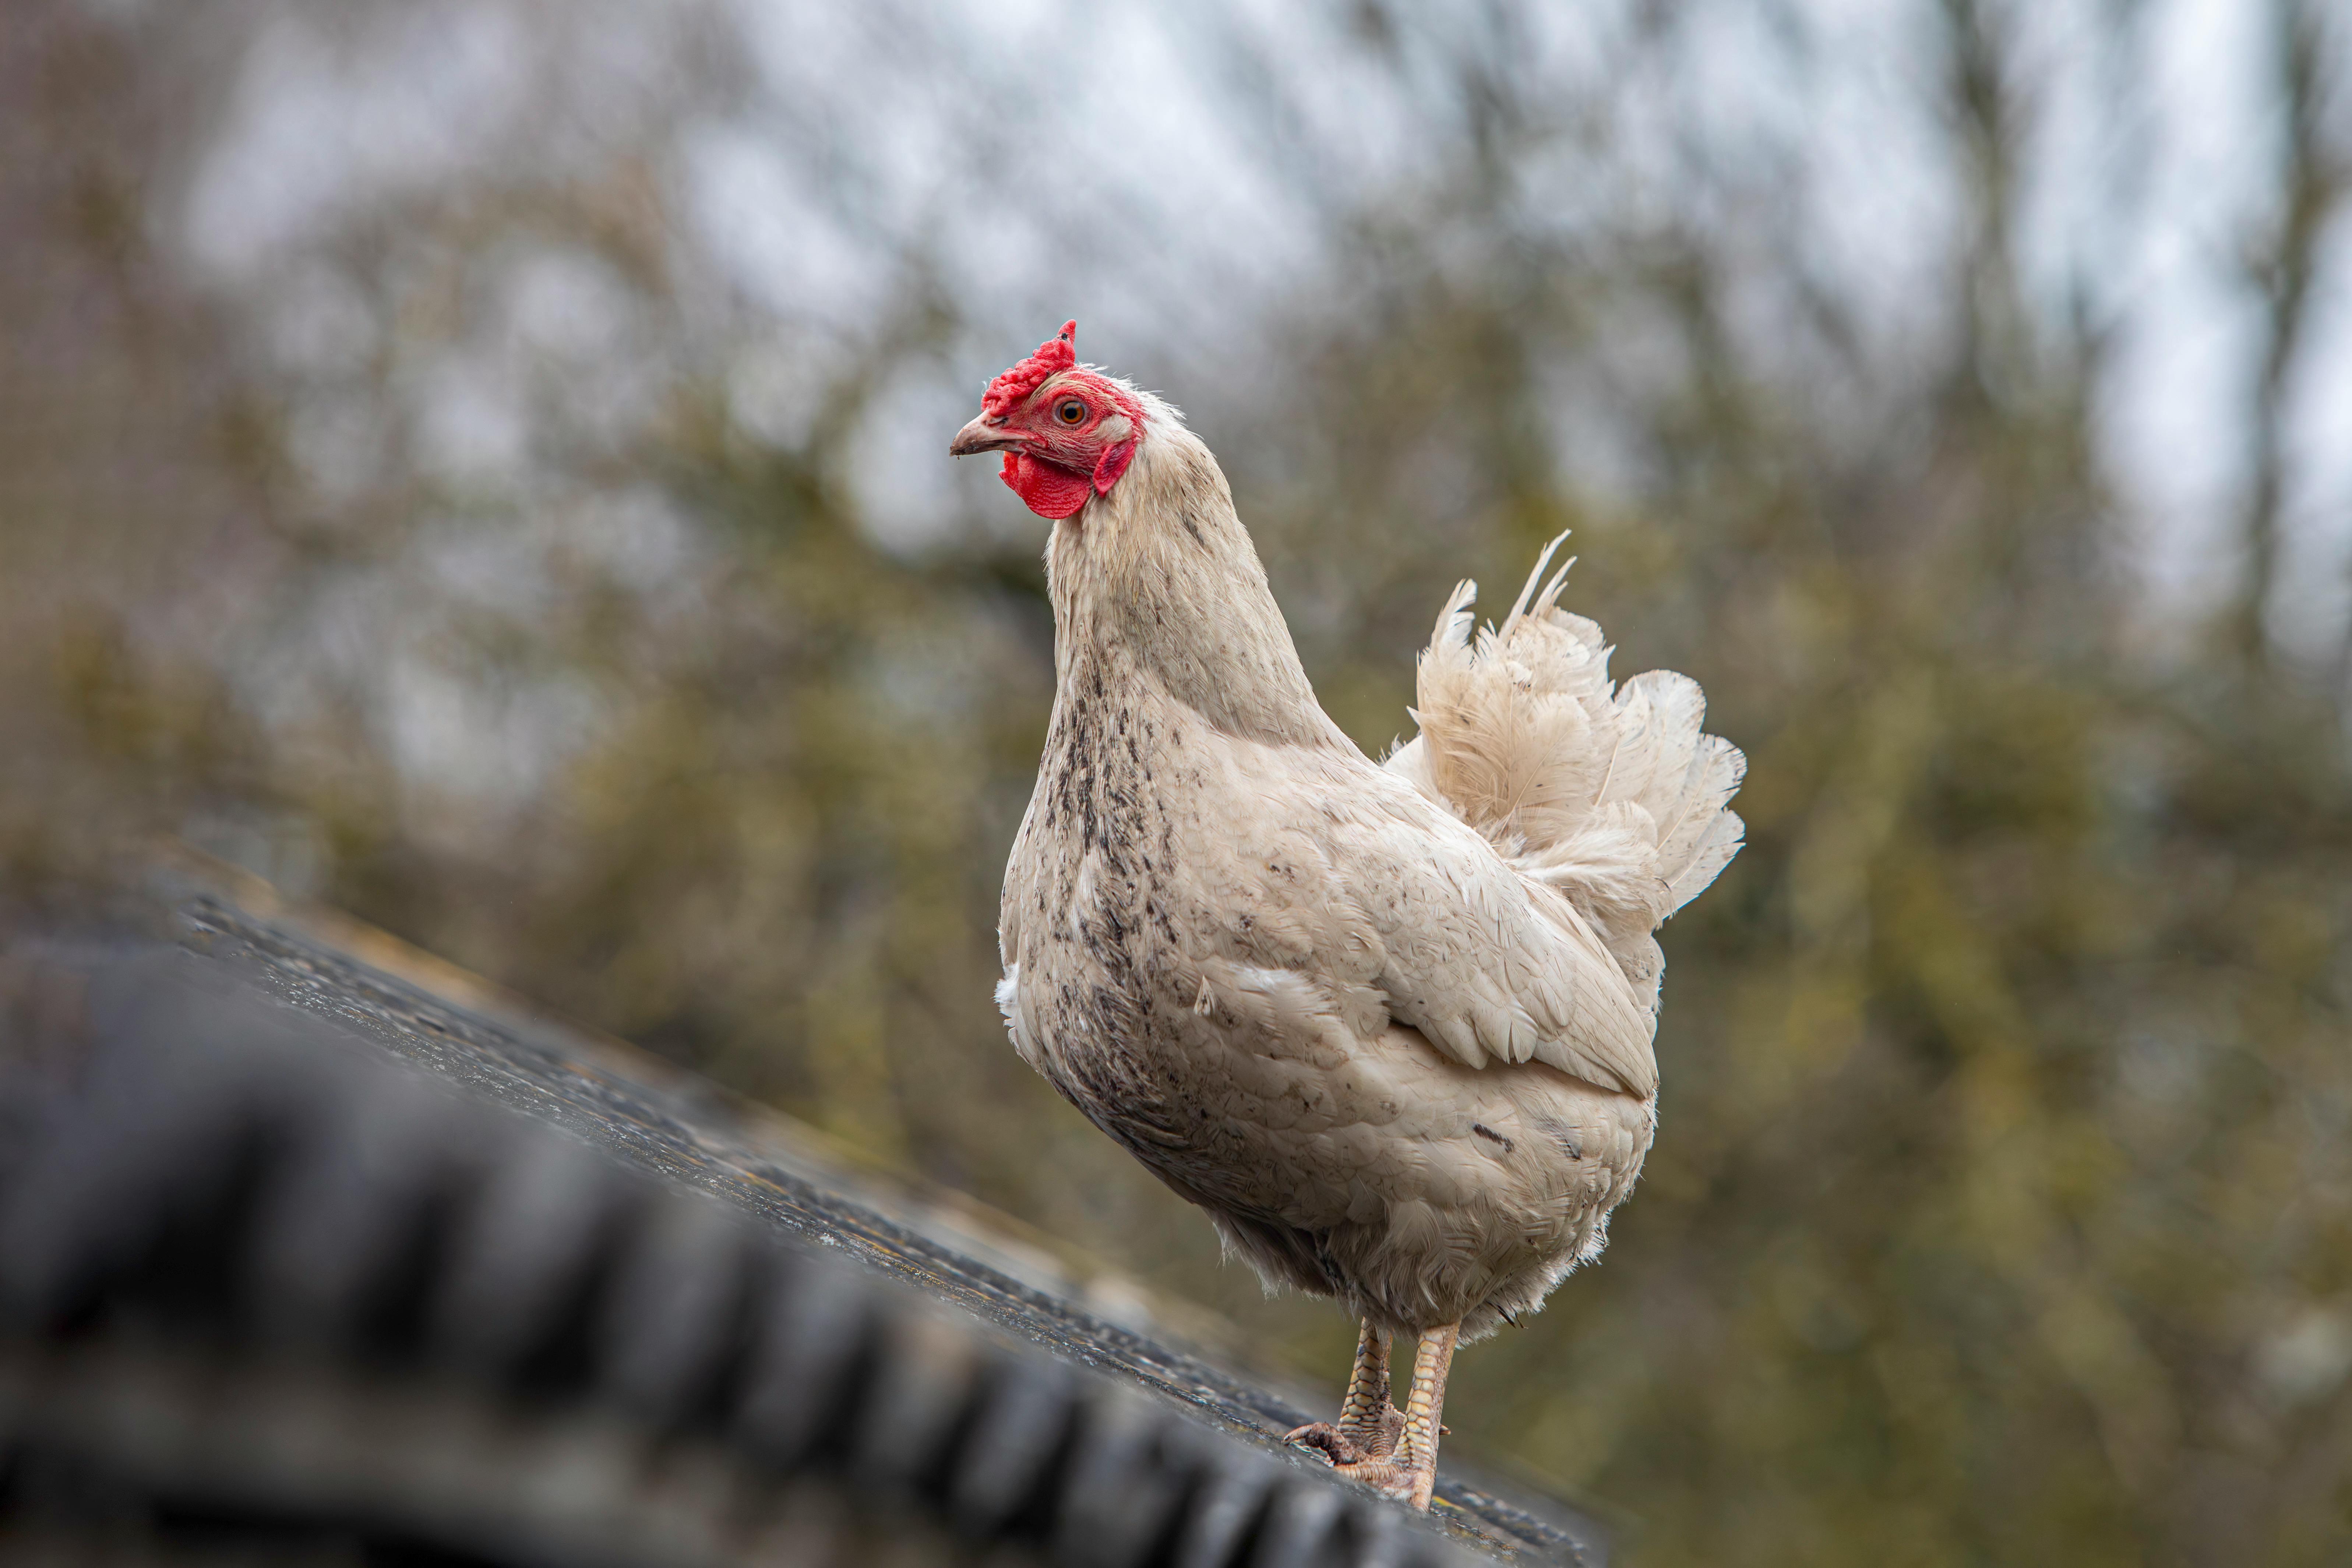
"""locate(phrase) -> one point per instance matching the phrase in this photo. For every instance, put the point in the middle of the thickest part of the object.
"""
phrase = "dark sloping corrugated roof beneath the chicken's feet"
(533, 1294)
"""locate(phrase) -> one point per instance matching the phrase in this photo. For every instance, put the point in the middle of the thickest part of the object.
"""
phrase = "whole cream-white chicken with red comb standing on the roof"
(1387, 1024)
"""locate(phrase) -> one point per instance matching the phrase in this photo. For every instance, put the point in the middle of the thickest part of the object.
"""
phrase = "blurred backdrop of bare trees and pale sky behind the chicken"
(483, 464)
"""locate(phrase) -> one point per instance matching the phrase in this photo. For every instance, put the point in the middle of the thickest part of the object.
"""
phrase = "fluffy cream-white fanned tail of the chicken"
(1615, 793)
